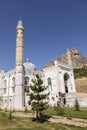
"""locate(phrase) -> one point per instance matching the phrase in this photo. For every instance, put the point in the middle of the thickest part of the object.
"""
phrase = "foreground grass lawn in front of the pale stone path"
(28, 124)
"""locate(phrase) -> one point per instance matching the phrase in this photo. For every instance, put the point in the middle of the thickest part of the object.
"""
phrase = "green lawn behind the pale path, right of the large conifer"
(69, 112)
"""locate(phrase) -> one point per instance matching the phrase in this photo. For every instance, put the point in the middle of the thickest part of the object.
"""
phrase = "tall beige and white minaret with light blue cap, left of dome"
(19, 78)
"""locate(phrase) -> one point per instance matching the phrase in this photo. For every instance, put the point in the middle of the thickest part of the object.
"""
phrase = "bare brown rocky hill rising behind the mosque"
(78, 61)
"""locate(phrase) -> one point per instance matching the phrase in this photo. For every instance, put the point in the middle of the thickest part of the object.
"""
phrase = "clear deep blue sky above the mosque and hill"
(51, 26)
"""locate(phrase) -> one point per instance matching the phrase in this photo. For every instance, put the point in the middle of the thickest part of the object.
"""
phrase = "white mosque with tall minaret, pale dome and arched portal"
(14, 84)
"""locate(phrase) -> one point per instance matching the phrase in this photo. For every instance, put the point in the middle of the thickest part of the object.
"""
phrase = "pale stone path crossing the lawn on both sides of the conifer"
(57, 119)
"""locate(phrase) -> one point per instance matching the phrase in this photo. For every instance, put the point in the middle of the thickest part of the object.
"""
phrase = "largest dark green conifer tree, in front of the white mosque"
(38, 95)
